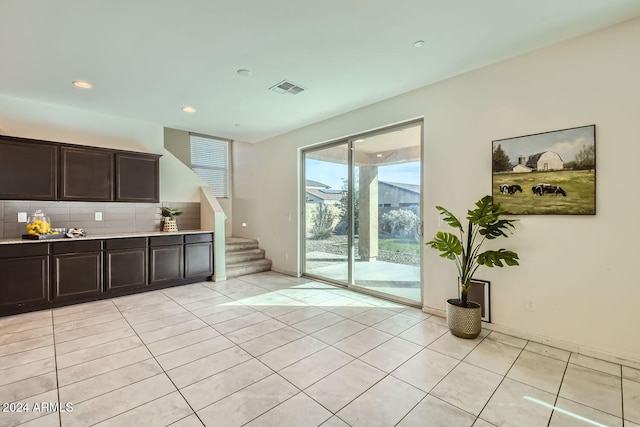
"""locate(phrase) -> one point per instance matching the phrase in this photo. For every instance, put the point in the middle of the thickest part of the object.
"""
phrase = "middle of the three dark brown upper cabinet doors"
(86, 174)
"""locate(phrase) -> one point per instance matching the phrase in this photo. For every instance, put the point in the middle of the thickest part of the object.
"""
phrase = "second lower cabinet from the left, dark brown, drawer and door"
(77, 269)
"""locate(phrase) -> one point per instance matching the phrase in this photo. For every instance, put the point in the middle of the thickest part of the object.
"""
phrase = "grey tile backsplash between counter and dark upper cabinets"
(116, 217)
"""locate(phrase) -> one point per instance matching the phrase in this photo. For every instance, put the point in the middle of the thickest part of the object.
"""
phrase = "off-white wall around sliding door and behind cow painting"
(579, 271)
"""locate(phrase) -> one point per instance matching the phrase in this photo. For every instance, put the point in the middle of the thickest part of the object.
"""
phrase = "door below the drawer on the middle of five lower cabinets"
(125, 268)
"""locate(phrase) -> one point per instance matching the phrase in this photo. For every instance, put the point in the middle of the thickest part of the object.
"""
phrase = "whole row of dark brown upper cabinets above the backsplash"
(42, 170)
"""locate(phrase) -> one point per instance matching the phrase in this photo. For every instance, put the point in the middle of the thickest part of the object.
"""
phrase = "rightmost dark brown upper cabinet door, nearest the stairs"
(137, 177)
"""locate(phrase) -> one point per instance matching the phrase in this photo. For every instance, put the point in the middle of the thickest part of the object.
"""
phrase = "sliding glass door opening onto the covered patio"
(362, 212)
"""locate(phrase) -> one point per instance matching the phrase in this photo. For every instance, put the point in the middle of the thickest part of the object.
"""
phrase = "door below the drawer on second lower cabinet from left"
(77, 274)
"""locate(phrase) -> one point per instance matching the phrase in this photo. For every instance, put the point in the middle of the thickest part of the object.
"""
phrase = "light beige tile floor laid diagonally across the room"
(272, 350)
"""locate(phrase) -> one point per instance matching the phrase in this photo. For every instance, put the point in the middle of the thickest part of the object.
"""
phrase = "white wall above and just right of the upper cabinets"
(49, 122)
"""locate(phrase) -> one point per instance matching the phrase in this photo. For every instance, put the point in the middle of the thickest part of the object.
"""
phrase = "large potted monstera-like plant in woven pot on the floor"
(484, 223)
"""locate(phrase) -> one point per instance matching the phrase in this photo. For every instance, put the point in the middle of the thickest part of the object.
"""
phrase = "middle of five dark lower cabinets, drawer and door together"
(125, 263)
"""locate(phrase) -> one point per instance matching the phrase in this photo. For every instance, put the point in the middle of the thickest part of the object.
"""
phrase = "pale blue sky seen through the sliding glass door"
(332, 174)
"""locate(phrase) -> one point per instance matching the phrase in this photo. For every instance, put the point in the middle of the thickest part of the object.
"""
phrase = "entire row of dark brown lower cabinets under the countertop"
(41, 275)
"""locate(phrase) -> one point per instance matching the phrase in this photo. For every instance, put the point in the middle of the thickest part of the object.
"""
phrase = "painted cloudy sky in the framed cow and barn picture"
(567, 143)
